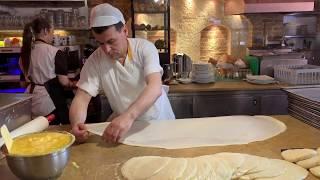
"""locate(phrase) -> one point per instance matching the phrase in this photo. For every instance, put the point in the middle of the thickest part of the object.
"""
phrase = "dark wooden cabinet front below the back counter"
(209, 104)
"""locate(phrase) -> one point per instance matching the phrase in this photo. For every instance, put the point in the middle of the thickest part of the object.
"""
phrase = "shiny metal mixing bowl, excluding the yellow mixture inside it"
(49, 166)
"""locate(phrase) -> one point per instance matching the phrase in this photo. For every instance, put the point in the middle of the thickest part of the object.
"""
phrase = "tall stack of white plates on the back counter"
(202, 73)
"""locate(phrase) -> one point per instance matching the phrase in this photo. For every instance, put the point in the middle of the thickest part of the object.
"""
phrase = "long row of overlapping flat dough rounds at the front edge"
(221, 166)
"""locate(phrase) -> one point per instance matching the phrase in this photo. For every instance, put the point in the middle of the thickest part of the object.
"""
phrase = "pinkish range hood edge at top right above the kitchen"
(267, 6)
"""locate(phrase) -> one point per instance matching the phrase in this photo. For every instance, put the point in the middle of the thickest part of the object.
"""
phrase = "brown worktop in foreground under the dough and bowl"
(97, 160)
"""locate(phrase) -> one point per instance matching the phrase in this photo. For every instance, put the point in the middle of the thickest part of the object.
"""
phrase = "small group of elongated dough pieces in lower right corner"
(306, 158)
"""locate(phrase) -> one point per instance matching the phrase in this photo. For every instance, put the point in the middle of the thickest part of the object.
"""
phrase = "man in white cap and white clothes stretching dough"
(128, 72)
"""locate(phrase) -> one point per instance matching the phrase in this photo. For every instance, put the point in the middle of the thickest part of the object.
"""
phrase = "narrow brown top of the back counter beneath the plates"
(222, 86)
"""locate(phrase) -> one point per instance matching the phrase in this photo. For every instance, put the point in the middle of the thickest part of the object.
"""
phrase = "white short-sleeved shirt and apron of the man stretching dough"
(122, 84)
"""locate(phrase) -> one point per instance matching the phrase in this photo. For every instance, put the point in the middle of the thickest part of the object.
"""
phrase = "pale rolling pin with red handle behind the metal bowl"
(36, 125)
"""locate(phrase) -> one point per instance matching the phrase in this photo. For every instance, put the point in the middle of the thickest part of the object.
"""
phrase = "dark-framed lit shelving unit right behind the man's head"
(151, 21)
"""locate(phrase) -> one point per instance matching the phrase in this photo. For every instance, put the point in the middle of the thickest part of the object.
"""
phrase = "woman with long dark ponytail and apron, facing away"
(45, 67)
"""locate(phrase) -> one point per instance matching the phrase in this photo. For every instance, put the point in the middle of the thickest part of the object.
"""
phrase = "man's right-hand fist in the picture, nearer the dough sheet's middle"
(118, 127)
